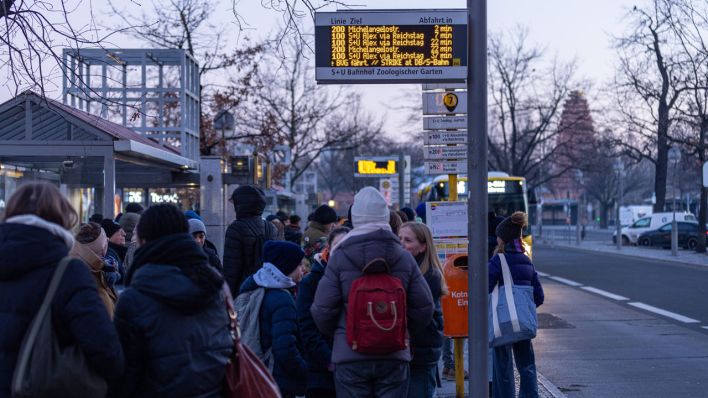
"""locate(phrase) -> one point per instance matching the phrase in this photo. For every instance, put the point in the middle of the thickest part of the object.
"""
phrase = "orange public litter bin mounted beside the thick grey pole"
(454, 305)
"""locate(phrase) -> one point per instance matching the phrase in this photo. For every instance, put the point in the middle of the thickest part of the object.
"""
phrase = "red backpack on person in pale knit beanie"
(376, 313)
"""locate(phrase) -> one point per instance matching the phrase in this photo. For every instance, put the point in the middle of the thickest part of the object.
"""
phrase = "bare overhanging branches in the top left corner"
(33, 35)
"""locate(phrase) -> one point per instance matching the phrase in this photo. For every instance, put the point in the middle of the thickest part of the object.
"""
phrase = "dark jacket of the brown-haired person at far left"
(28, 257)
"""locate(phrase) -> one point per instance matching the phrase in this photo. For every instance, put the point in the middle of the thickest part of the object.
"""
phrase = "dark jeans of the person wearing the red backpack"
(372, 379)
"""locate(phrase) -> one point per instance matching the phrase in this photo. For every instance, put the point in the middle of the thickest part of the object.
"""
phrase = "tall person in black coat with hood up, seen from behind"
(246, 236)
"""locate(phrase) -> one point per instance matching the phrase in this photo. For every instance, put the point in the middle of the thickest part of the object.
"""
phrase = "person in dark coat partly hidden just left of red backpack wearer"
(318, 347)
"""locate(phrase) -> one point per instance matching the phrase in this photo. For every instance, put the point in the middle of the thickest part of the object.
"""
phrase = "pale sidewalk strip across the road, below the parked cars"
(654, 253)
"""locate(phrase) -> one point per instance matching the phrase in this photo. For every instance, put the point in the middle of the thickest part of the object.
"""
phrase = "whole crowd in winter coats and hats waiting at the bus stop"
(143, 295)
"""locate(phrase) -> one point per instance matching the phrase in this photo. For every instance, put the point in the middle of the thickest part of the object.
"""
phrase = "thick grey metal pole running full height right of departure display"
(477, 200)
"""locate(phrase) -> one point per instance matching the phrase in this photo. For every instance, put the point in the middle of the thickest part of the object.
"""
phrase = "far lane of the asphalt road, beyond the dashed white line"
(681, 290)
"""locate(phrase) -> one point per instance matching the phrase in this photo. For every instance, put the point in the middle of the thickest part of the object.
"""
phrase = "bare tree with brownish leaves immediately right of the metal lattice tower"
(189, 25)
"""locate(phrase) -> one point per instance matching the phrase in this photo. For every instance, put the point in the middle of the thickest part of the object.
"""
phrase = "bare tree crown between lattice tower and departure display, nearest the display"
(291, 109)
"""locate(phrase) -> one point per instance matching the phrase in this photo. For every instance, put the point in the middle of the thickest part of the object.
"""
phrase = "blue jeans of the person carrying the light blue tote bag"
(503, 381)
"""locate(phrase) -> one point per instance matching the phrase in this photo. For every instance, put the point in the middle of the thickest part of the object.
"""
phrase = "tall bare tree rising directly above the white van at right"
(648, 89)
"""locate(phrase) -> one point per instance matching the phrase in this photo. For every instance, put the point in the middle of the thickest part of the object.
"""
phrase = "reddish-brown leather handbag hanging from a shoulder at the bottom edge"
(246, 375)
